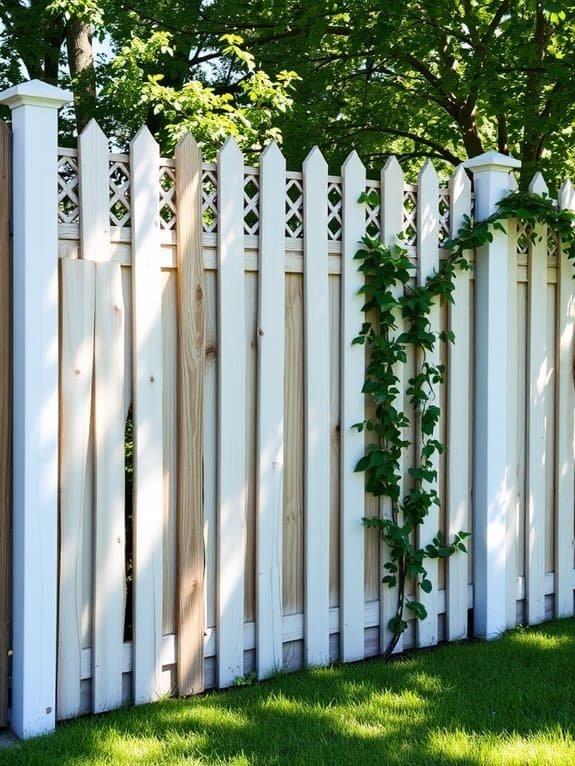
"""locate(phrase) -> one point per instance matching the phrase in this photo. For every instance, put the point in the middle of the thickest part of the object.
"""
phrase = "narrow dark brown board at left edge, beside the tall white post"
(5, 417)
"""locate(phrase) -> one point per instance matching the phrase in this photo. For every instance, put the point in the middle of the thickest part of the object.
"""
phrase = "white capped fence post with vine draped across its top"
(490, 466)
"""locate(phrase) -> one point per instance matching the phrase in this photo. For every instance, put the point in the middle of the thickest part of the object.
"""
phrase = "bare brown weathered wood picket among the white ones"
(191, 361)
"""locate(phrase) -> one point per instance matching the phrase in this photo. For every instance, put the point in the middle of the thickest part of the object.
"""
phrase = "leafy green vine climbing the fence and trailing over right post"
(388, 295)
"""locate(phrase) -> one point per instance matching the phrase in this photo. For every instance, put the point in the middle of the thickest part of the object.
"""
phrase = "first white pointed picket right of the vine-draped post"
(537, 380)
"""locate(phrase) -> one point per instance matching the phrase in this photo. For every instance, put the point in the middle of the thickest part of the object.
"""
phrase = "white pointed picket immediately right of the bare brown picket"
(231, 415)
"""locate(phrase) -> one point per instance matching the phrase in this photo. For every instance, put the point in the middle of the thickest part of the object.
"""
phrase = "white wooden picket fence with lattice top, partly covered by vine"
(218, 303)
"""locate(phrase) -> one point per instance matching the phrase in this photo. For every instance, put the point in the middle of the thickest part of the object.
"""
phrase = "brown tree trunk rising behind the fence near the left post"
(81, 62)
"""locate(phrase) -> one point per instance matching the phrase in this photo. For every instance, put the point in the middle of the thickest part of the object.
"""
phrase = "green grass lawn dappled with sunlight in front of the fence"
(510, 701)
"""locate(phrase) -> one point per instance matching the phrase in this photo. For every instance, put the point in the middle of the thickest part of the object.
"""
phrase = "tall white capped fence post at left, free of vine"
(34, 106)
